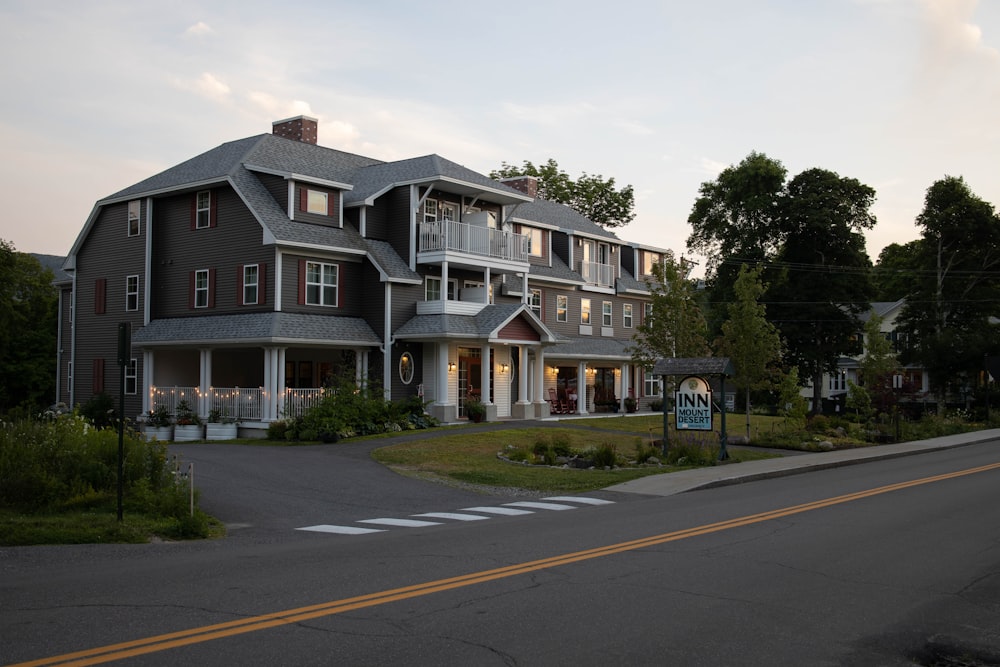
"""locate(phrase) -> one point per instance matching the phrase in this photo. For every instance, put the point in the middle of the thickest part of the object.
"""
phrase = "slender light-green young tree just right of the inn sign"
(749, 340)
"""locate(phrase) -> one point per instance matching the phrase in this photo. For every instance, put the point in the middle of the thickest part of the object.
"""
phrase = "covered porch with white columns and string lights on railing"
(244, 376)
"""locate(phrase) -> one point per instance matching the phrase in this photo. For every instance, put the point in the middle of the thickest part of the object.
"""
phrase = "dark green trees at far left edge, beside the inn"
(28, 312)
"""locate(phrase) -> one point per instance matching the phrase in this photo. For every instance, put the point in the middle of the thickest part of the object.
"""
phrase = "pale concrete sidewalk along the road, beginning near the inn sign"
(725, 474)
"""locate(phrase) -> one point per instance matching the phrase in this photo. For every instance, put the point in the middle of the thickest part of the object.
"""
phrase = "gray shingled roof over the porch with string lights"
(256, 328)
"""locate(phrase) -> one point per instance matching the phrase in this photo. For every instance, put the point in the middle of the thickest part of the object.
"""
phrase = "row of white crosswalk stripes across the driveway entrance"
(519, 508)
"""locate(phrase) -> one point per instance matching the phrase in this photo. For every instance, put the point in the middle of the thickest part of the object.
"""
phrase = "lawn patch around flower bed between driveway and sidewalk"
(471, 459)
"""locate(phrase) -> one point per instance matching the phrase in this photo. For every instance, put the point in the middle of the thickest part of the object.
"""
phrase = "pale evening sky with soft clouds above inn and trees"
(661, 95)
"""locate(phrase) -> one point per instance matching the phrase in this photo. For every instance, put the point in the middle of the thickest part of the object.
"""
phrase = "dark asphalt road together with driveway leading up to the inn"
(848, 565)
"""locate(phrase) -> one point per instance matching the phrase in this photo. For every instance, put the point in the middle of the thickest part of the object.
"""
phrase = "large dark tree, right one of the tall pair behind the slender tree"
(822, 284)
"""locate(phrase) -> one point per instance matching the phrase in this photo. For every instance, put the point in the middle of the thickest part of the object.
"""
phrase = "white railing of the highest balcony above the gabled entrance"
(447, 237)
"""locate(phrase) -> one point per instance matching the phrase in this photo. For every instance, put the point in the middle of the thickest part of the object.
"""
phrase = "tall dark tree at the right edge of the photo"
(956, 288)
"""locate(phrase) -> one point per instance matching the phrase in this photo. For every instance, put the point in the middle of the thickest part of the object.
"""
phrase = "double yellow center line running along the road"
(254, 623)
